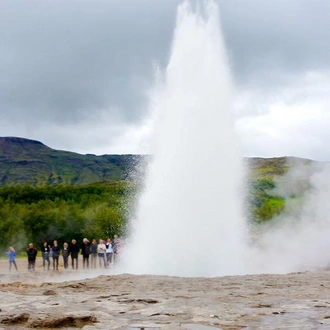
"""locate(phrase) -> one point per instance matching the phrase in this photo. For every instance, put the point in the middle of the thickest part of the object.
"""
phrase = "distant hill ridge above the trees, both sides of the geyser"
(24, 161)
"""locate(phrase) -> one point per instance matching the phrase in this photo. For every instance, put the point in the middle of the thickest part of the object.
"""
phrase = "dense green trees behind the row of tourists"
(37, 214)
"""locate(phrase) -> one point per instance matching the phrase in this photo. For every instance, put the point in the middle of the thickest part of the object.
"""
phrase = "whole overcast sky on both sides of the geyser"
(76, 74)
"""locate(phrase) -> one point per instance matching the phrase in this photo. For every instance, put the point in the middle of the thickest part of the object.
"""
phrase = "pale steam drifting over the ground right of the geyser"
(298, 239)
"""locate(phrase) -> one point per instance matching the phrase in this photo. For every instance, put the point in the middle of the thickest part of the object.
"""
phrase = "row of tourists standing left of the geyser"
(106, 252)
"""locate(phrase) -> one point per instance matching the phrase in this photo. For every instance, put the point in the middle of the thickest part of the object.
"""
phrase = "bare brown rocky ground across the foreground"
(101, 300)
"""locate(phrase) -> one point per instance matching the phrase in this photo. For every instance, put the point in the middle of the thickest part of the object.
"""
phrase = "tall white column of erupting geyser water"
(189, 220)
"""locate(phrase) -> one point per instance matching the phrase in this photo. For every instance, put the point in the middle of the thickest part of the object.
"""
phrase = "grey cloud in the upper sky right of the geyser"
(268, 37)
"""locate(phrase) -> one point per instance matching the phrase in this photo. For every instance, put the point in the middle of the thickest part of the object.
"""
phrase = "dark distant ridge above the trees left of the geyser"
(25, 161)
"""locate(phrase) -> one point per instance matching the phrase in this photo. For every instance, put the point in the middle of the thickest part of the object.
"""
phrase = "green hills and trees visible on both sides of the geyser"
(48, 194)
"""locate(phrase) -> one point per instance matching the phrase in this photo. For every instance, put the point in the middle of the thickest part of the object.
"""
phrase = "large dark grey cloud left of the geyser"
(61, 58)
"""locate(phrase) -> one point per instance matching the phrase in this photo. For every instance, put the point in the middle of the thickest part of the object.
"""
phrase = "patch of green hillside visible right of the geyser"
(272, 180)
